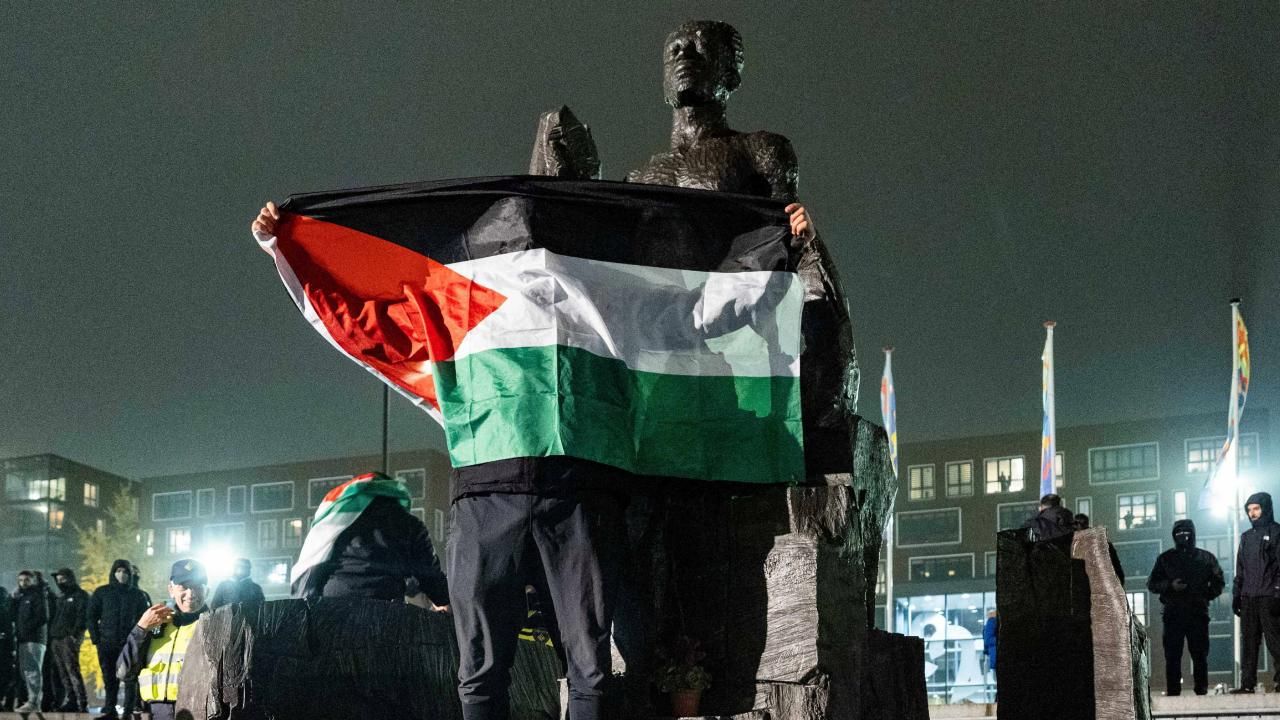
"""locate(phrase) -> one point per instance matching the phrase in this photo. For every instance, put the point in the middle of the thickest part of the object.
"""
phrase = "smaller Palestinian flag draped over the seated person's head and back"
(337, 512)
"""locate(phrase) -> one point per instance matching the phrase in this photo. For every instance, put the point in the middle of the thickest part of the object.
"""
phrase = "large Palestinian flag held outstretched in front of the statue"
(651, 329)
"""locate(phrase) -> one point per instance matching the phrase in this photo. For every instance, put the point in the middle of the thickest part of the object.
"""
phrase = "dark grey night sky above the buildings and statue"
(976, 171)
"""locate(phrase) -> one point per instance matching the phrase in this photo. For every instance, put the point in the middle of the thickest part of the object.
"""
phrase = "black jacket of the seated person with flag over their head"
(378, 553)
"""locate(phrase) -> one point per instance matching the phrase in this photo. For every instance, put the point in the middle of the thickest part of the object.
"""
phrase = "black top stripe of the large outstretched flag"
(641, 225)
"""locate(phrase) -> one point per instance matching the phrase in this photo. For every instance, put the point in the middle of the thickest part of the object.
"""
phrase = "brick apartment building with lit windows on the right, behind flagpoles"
(1133, 479)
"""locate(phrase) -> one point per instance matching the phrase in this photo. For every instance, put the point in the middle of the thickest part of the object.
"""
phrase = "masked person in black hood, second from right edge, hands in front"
(1187, 580)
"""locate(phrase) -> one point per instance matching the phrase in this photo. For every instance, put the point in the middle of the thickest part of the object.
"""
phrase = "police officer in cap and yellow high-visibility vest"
(157, 648)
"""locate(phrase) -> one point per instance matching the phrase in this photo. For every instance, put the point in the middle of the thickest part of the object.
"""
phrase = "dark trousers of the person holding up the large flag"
(499, 544)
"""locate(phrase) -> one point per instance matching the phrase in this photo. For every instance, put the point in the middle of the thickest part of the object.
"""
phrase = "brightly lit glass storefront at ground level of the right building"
(956, 668)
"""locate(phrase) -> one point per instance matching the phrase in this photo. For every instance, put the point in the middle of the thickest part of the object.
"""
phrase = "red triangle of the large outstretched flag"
(386, 306)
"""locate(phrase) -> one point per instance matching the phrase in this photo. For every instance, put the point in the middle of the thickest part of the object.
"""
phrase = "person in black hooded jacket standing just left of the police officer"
(113, 612)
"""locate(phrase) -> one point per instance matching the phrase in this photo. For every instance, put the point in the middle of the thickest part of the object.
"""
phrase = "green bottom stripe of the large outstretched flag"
(505, 404)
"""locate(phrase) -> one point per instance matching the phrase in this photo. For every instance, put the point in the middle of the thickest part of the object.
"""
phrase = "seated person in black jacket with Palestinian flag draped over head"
(364, 543)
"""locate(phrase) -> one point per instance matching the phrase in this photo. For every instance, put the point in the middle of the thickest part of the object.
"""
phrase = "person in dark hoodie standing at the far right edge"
(1256, 590)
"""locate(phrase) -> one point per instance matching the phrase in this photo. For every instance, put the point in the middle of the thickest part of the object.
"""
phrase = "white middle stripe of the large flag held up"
(653, 320)
